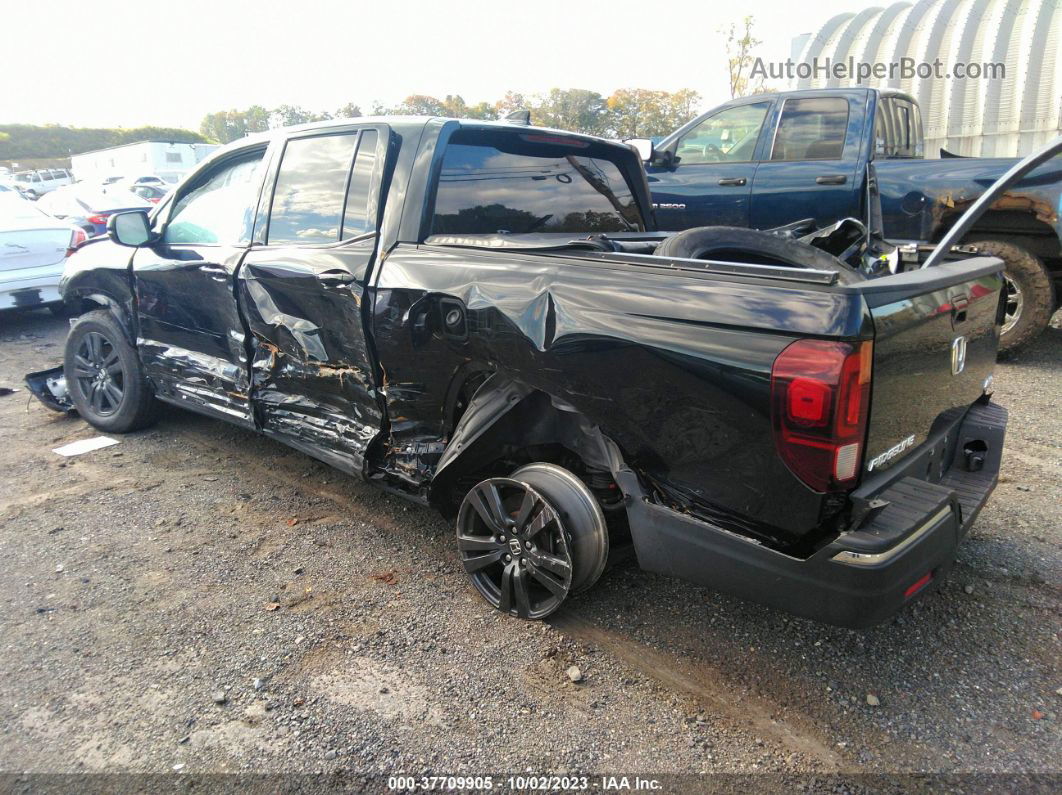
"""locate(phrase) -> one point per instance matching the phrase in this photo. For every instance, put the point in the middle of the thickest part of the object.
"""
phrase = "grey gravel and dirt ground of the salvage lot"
(140, 628)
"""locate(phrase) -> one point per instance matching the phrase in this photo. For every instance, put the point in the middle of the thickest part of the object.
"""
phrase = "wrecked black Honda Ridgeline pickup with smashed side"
(475, 316)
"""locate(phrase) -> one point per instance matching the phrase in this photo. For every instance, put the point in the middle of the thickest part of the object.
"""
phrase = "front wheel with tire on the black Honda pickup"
(106, 378)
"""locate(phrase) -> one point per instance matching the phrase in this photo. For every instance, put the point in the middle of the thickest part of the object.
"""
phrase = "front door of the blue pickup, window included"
(709, 181)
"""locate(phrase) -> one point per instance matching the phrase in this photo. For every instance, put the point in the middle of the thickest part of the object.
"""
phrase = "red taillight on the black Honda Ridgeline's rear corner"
(820, 397)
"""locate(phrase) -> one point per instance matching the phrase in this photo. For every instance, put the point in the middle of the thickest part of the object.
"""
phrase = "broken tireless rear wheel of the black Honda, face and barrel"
(530, 541)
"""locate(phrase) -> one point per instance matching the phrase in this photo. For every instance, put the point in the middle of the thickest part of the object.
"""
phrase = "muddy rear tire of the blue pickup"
(1031, 293)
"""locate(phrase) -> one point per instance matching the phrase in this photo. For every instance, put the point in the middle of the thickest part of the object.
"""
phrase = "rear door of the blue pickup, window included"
(812, 167)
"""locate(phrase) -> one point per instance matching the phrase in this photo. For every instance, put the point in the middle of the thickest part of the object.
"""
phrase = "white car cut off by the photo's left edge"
(33, 251)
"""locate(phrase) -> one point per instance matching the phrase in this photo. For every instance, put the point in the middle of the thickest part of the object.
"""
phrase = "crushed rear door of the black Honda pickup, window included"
(302, 289)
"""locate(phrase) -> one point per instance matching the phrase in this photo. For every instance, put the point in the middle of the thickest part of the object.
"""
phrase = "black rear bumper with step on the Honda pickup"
(864, 577)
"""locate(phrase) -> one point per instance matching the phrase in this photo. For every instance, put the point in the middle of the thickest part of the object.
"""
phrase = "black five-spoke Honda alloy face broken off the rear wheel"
(515, 548)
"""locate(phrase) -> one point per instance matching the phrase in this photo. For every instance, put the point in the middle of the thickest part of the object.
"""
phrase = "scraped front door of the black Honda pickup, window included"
(192, 338)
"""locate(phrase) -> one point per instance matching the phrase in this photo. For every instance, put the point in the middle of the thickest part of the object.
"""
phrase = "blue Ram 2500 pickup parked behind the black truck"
(767, 161)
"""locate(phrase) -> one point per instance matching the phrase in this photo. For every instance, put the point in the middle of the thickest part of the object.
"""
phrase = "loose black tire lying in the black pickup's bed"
(738, 245)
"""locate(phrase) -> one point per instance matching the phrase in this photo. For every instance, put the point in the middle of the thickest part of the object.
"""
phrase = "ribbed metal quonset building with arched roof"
(979, 117)
